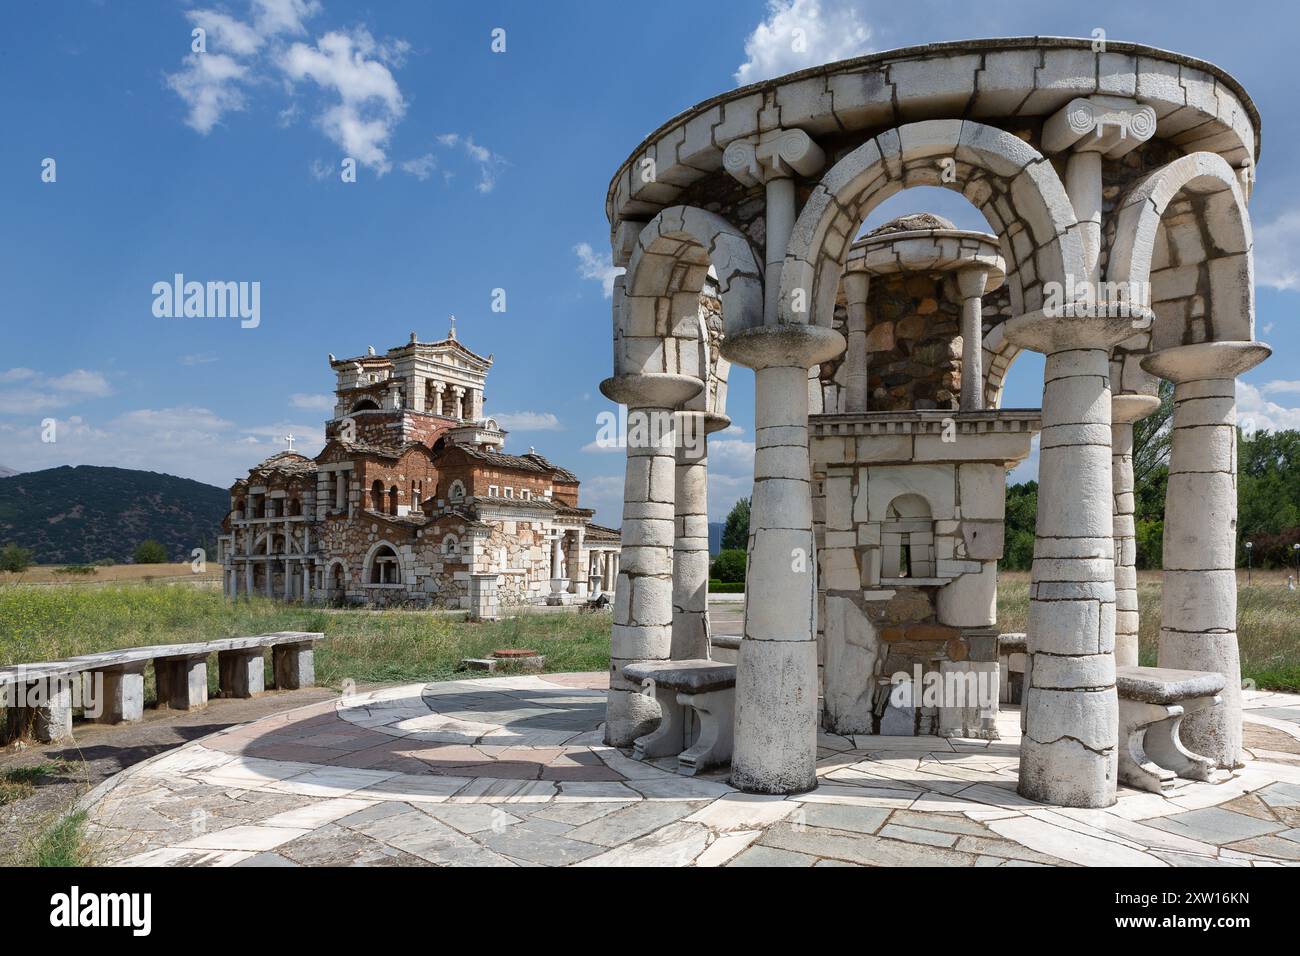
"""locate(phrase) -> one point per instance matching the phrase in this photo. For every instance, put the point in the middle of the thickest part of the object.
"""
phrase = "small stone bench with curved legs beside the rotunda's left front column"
(707, 689)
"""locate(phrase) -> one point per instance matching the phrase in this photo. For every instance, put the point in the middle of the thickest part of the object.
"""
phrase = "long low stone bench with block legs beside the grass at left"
(41, 698)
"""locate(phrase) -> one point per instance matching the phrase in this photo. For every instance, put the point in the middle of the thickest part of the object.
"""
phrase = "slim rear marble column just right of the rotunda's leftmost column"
(691, 544)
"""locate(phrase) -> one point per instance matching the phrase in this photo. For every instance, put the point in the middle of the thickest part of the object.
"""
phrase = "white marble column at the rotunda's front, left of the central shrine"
(777, 685)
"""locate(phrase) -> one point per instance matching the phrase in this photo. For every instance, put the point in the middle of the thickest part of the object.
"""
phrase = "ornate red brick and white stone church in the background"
(414, 500)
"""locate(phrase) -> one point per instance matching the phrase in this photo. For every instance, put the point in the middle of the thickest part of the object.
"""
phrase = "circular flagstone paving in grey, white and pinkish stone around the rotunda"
(512, 772)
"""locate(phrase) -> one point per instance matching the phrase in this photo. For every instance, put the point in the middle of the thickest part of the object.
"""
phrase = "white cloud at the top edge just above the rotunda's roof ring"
(799, 34)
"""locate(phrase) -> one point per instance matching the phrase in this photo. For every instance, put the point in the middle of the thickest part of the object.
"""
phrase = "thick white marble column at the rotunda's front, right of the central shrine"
(1071, 712)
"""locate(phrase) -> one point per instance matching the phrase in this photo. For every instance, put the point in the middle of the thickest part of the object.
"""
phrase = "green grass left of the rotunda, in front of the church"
(42, 624)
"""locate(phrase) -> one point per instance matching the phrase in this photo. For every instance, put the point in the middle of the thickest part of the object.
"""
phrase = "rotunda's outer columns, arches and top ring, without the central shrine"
(1086, 110)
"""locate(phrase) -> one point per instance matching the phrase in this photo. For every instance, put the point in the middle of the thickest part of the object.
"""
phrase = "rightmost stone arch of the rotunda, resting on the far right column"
(1220, 228)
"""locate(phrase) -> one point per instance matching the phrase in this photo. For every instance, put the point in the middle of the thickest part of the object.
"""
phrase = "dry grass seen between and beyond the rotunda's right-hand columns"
(1268, 622)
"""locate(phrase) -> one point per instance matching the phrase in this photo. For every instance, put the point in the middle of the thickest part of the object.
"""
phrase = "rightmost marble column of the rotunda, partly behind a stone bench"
(1198, 621)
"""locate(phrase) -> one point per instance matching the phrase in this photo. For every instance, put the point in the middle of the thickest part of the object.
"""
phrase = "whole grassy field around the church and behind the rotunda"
(44, 624)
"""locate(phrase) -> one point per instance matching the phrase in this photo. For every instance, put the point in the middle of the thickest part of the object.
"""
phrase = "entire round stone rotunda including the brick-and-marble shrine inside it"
(1115, 183)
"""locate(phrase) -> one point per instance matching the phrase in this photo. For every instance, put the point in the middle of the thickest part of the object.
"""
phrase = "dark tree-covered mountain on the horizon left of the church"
(81, 514)
